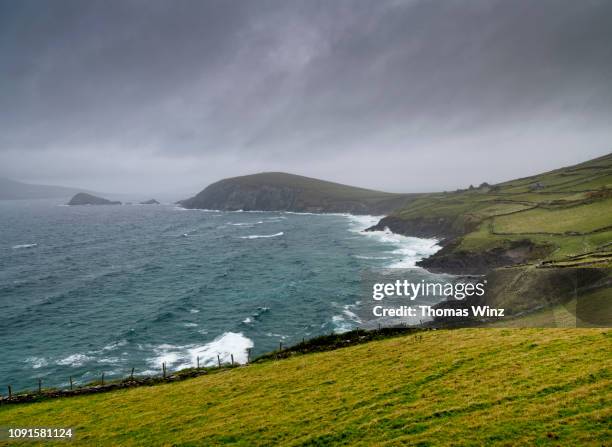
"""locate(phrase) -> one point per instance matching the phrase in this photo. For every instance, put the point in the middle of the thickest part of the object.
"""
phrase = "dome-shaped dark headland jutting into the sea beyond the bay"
(279, 191)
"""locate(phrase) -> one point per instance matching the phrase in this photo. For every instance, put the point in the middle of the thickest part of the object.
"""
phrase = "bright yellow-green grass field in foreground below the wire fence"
(469, 387)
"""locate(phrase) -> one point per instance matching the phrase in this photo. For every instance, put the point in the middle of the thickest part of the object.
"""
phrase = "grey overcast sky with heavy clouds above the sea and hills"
(148, 96)
